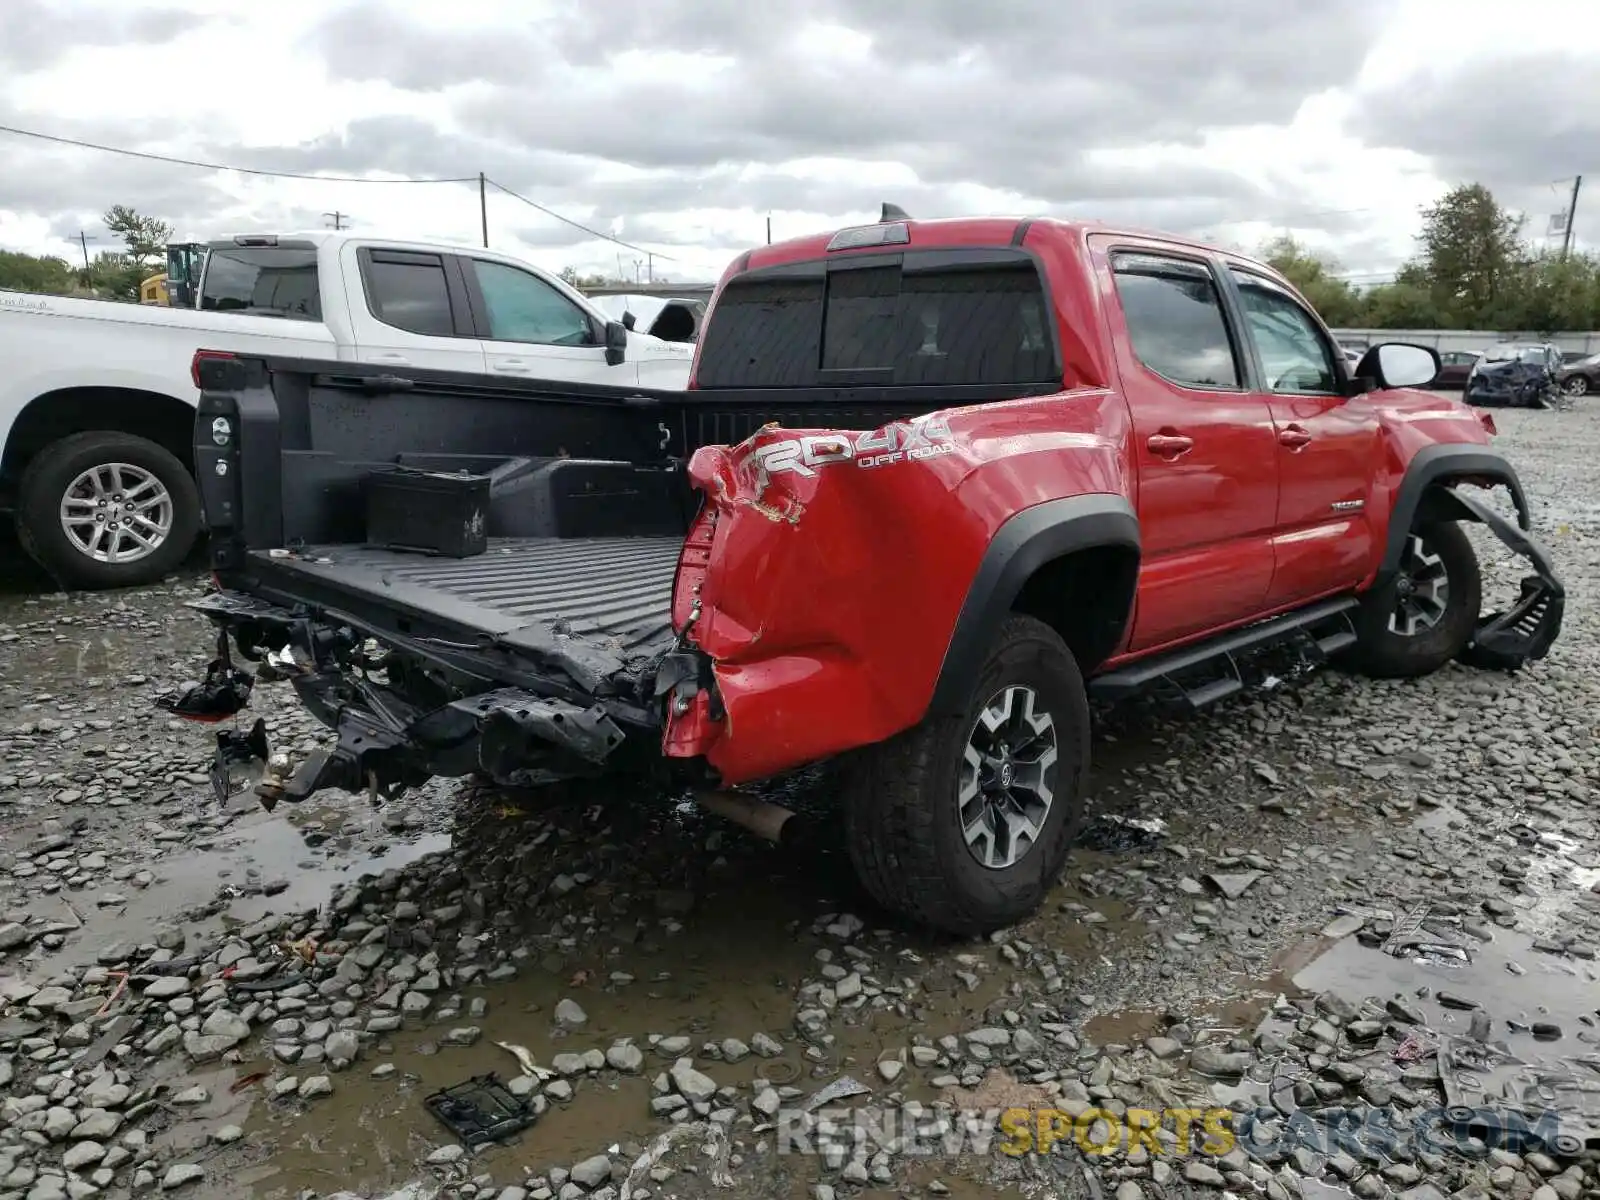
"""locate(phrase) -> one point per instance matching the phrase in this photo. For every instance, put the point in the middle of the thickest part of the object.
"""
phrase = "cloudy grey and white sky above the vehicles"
(682, 126)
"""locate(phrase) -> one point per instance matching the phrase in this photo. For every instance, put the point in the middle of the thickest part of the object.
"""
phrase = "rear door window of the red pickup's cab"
(1175, 321)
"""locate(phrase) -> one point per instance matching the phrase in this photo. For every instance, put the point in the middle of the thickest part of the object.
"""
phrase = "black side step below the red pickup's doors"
(1225, 649)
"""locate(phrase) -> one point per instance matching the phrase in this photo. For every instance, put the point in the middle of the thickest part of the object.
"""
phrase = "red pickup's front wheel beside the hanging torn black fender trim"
(1425, 617)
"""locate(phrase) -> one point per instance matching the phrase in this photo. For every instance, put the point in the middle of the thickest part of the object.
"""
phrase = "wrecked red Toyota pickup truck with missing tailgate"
(935, 486)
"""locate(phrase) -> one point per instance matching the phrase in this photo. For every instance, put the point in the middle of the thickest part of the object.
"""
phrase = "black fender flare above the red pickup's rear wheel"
(1025, 543)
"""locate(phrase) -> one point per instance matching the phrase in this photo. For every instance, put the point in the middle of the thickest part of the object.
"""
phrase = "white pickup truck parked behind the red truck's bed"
(97, 398)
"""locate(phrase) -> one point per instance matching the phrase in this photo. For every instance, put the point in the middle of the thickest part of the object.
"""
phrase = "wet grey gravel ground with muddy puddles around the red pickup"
(217, 1002)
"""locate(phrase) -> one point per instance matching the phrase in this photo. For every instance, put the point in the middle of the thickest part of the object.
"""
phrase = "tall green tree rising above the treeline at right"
(1471, 255)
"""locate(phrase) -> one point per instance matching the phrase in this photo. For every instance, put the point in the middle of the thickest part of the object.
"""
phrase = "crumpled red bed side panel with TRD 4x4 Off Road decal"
(842, 559)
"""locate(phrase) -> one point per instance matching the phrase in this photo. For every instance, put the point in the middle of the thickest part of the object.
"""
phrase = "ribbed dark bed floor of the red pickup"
(607, 591)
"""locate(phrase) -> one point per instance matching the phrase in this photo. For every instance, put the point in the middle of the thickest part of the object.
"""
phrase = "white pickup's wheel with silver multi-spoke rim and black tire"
(68, 502)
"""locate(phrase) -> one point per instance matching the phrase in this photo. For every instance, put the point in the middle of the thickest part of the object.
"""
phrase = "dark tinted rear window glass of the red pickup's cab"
(975, 326)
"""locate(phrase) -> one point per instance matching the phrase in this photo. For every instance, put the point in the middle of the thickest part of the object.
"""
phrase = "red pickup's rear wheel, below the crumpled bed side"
(964, 823)
